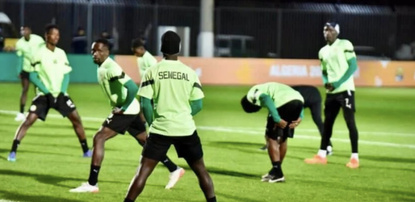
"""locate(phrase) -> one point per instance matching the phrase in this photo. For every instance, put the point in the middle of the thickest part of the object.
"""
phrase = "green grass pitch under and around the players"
(49, 159)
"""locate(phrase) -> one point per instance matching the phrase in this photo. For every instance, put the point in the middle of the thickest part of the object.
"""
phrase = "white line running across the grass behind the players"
(257, 131)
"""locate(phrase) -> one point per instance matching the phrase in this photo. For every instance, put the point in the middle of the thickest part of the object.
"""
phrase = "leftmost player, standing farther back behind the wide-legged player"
(26, 47)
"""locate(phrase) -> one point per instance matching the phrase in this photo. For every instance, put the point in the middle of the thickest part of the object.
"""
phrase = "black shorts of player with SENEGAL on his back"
(187, 147)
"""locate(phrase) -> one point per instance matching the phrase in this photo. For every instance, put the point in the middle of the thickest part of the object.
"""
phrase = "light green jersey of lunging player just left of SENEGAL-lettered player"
(112, 79)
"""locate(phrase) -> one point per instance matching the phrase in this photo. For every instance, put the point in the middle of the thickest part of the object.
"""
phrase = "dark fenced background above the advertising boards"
(382, 29)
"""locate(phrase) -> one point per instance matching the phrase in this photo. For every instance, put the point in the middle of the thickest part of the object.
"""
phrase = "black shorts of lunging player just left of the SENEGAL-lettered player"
(125, 122)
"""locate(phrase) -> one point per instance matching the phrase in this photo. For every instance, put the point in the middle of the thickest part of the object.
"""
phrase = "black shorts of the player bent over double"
(289, 112)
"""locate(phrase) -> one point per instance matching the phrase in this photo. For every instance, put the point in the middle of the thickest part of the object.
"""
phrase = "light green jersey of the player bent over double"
(279, 93)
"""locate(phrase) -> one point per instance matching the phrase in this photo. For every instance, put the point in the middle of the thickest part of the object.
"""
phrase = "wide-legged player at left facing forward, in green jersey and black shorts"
(51, 77)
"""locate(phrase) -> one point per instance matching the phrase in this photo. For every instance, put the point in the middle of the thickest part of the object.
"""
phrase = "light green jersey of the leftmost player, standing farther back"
(27, 49)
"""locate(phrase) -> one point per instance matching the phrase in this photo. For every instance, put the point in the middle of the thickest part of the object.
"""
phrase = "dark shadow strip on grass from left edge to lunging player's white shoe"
(48, 179)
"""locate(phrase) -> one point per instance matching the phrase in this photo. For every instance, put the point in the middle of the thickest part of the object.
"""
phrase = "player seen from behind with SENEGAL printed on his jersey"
(177, 94)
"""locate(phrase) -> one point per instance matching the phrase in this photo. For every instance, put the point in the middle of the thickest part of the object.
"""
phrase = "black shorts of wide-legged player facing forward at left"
(41, 107)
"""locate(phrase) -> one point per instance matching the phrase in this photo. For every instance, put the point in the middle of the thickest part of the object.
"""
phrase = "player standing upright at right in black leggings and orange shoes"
(338, 63)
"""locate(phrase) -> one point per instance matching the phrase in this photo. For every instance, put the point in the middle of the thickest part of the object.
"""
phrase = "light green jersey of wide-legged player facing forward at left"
(51, 67)
